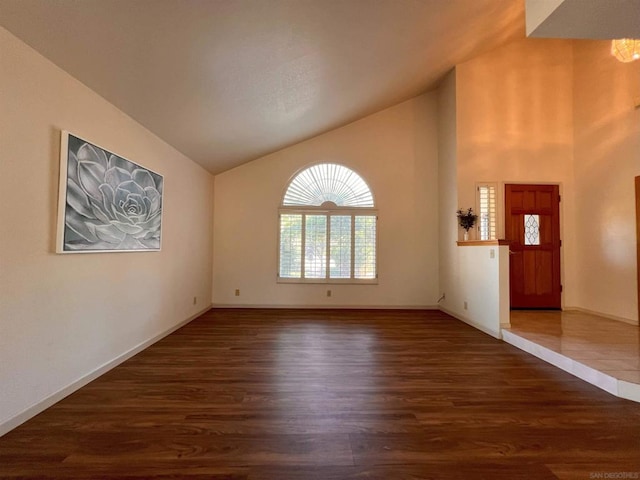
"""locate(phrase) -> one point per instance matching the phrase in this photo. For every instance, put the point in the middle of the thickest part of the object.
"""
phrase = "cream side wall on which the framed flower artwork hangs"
(64, 316)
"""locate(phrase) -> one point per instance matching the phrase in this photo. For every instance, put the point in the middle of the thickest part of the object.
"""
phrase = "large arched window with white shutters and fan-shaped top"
(328, 228)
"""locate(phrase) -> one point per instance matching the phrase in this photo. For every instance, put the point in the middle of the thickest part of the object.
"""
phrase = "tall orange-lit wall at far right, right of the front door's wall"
(607, 155)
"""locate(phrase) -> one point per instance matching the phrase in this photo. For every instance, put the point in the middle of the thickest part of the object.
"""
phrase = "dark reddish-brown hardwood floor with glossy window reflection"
(329, 395)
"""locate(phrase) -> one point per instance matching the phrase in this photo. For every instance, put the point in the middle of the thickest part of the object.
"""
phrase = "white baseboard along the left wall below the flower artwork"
(47, 402)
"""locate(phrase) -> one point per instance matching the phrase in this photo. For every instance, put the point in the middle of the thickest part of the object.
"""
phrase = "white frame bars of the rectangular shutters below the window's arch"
(329, 212)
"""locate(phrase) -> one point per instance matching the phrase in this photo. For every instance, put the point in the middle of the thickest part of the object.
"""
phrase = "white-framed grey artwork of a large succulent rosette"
(106, 203)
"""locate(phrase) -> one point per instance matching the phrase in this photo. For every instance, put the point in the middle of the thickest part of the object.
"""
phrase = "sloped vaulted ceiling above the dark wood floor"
(227, 81)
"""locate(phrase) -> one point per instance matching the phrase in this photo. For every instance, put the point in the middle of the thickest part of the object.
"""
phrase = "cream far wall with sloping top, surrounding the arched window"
(395, 151)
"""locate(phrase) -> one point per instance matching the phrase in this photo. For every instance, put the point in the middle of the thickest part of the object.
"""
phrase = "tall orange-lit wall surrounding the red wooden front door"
(515, 125)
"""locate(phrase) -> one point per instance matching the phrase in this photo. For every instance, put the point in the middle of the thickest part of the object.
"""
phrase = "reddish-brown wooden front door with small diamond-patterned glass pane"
(532, 227)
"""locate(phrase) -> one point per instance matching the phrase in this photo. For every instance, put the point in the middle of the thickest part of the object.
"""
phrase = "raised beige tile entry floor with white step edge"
(602, 351)
